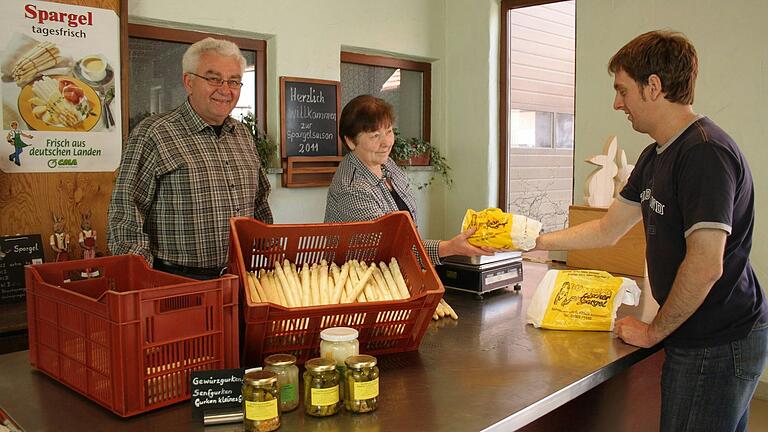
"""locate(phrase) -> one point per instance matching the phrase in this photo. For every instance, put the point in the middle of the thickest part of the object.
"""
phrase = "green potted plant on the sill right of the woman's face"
(418, 152)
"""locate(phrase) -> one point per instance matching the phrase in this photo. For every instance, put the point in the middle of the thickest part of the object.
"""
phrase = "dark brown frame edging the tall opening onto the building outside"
(506, 6)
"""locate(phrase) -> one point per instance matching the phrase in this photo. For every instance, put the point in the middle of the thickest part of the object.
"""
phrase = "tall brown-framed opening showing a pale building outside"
(536, 118)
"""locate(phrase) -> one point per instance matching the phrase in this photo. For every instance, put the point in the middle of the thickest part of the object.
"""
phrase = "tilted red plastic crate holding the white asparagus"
(384, 327)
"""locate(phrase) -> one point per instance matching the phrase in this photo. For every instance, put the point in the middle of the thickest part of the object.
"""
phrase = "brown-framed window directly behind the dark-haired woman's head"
(405, 84)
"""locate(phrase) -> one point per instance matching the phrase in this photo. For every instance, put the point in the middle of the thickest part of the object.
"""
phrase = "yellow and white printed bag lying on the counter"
(580, 300)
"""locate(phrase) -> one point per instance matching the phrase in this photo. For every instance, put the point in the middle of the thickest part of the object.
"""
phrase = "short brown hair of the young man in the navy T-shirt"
(668, 54)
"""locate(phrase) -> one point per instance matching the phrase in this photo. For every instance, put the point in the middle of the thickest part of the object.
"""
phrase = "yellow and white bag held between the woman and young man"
(501, 230)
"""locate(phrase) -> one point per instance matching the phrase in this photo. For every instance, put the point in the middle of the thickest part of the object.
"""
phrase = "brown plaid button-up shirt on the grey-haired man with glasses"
(178, 186)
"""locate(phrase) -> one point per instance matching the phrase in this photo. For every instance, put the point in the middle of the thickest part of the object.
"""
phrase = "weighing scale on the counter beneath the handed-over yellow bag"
(482, 274)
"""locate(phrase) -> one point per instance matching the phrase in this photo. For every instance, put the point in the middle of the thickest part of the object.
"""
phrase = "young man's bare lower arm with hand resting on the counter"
(700, 269)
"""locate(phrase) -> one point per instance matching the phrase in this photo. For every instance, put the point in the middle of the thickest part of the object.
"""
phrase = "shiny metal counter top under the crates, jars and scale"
(486, 371)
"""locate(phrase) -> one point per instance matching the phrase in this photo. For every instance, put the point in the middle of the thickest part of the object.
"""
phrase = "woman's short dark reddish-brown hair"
(365, 113)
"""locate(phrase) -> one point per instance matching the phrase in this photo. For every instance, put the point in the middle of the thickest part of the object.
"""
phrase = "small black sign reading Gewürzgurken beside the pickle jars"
(216, 390)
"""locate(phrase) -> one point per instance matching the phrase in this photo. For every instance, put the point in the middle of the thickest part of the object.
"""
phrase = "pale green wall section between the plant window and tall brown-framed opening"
(471, 104)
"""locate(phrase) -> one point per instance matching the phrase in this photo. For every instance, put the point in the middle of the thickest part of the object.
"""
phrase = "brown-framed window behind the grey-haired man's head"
(154, 83)
